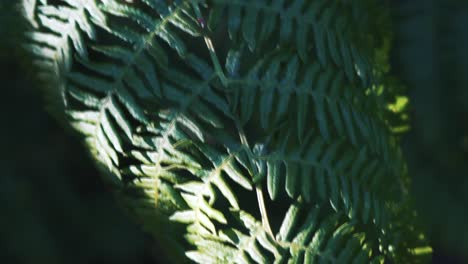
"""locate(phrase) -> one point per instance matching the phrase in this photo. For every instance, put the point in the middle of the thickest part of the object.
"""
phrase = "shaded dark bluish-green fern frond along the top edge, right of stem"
(313, 27)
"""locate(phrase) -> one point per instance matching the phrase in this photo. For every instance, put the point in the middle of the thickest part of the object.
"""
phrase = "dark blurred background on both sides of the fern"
(55, 209)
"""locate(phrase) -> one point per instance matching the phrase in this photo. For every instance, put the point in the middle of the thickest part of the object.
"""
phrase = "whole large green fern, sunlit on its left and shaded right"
(284, 105)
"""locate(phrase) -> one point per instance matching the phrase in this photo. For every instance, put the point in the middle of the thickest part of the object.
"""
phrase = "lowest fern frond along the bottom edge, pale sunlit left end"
(304, 237)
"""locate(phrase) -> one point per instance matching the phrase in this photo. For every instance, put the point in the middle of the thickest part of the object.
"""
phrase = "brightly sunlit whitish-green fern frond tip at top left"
(61, 34)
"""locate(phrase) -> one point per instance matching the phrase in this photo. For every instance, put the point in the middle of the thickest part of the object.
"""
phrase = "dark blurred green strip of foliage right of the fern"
(431, 57)
